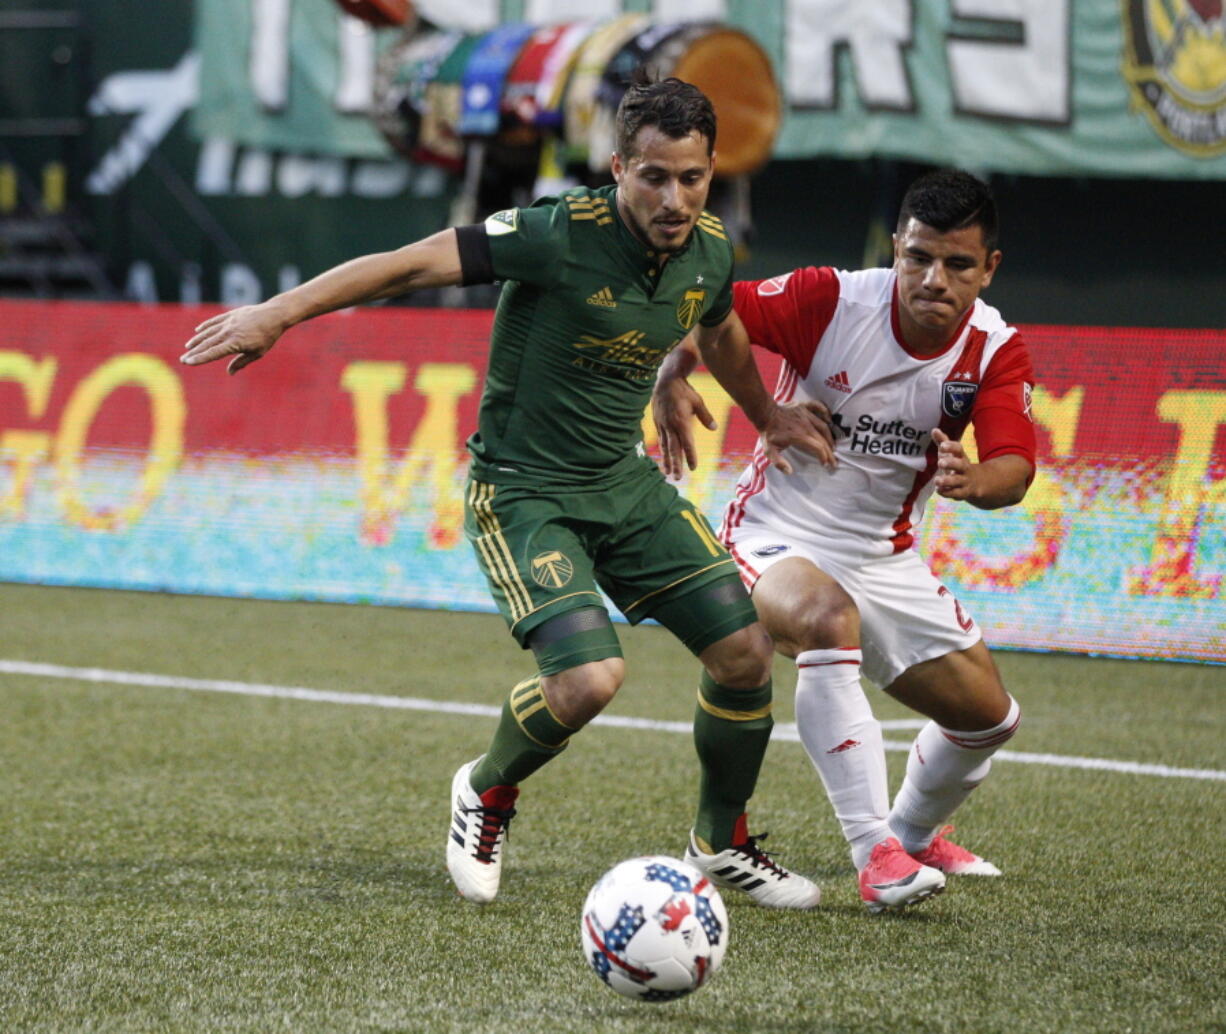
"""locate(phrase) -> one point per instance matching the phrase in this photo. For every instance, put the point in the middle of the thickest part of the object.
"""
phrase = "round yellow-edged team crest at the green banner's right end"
(1175, 61)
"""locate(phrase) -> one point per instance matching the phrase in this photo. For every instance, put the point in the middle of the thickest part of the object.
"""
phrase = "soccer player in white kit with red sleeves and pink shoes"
(900, 361)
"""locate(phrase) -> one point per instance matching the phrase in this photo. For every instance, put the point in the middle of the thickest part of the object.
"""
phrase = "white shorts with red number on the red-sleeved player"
(907, 616)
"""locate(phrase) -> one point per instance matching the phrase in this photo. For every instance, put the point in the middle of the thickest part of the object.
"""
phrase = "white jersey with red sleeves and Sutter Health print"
(842, 345)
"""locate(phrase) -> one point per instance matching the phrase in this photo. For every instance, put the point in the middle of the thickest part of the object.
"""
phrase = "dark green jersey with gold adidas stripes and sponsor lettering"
(585, 318)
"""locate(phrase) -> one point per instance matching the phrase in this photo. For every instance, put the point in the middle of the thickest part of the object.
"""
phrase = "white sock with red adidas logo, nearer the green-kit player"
(844, 743)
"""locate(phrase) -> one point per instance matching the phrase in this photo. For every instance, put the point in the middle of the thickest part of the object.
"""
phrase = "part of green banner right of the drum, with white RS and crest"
(1094, 88)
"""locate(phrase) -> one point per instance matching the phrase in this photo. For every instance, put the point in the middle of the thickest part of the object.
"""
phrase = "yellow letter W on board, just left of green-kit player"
(435, 443)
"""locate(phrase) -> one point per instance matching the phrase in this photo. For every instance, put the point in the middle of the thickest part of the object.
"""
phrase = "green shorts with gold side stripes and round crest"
(549, 549)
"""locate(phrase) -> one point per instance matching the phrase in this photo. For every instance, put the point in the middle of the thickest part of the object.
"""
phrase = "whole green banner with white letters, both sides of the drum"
(1044, 88)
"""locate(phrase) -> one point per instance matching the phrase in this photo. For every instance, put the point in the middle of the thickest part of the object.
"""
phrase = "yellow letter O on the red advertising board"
(169, 412)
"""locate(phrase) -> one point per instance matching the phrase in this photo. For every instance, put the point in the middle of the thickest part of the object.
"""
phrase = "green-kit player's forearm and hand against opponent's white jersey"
(805, 426)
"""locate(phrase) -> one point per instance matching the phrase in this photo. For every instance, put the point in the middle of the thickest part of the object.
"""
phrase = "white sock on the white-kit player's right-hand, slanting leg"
(943, 768)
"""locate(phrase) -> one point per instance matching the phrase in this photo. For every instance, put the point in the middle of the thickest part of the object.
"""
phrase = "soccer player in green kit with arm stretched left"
(562, 500)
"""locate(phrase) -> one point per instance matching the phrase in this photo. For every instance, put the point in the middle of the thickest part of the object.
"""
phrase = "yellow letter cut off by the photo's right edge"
(1191, 500)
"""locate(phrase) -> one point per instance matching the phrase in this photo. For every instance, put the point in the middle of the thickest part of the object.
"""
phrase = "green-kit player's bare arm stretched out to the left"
(248, 333)
